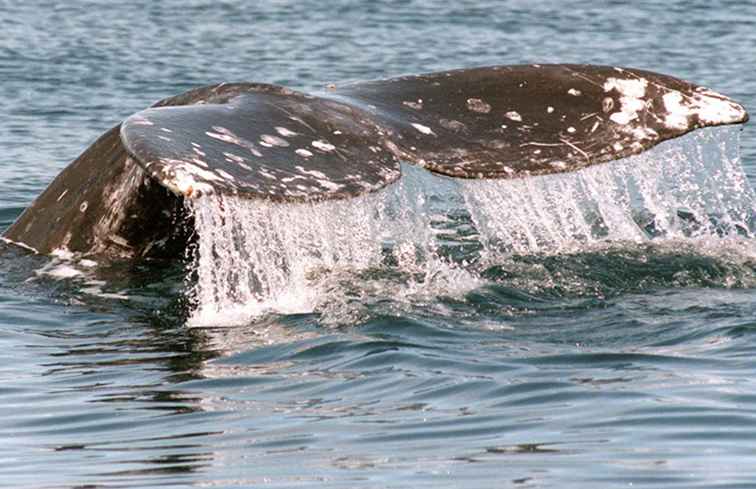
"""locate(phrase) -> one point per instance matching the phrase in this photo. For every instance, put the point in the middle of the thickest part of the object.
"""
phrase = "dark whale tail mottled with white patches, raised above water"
(124, 195)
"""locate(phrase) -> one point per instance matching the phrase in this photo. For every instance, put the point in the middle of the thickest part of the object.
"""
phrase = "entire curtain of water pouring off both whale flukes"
(434, 233)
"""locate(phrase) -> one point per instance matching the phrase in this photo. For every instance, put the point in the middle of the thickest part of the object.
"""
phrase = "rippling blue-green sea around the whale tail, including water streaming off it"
(589, 330)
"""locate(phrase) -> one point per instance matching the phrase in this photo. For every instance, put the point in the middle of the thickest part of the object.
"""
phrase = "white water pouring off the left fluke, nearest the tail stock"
(256, 257)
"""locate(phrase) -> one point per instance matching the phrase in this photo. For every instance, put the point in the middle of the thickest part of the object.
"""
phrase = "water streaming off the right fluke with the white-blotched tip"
(686, 188)
